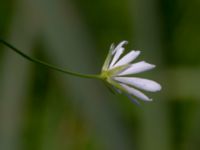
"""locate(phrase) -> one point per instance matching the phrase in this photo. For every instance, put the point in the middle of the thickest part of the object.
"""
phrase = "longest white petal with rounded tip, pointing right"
(144, 84)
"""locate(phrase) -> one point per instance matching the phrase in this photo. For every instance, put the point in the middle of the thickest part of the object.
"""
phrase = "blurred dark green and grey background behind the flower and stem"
(41, 109)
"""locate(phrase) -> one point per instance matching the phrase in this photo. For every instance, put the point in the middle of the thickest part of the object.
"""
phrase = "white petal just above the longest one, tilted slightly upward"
(137, 68)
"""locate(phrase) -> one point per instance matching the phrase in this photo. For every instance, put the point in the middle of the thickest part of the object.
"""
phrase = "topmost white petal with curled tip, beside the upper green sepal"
(117, 52)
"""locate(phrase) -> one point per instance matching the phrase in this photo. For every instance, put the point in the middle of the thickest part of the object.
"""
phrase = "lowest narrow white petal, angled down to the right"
(136, 93)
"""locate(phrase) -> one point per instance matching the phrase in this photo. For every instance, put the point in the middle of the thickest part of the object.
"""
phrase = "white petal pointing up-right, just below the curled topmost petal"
(127, 58)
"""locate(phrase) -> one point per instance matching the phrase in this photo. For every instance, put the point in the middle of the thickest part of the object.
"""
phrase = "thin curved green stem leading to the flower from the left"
(46, 64)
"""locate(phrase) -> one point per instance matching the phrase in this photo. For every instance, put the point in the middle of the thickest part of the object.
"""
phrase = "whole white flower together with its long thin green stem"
(116, 72)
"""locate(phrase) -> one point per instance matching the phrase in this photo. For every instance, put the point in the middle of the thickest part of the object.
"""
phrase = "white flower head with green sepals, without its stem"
(117, 72)
